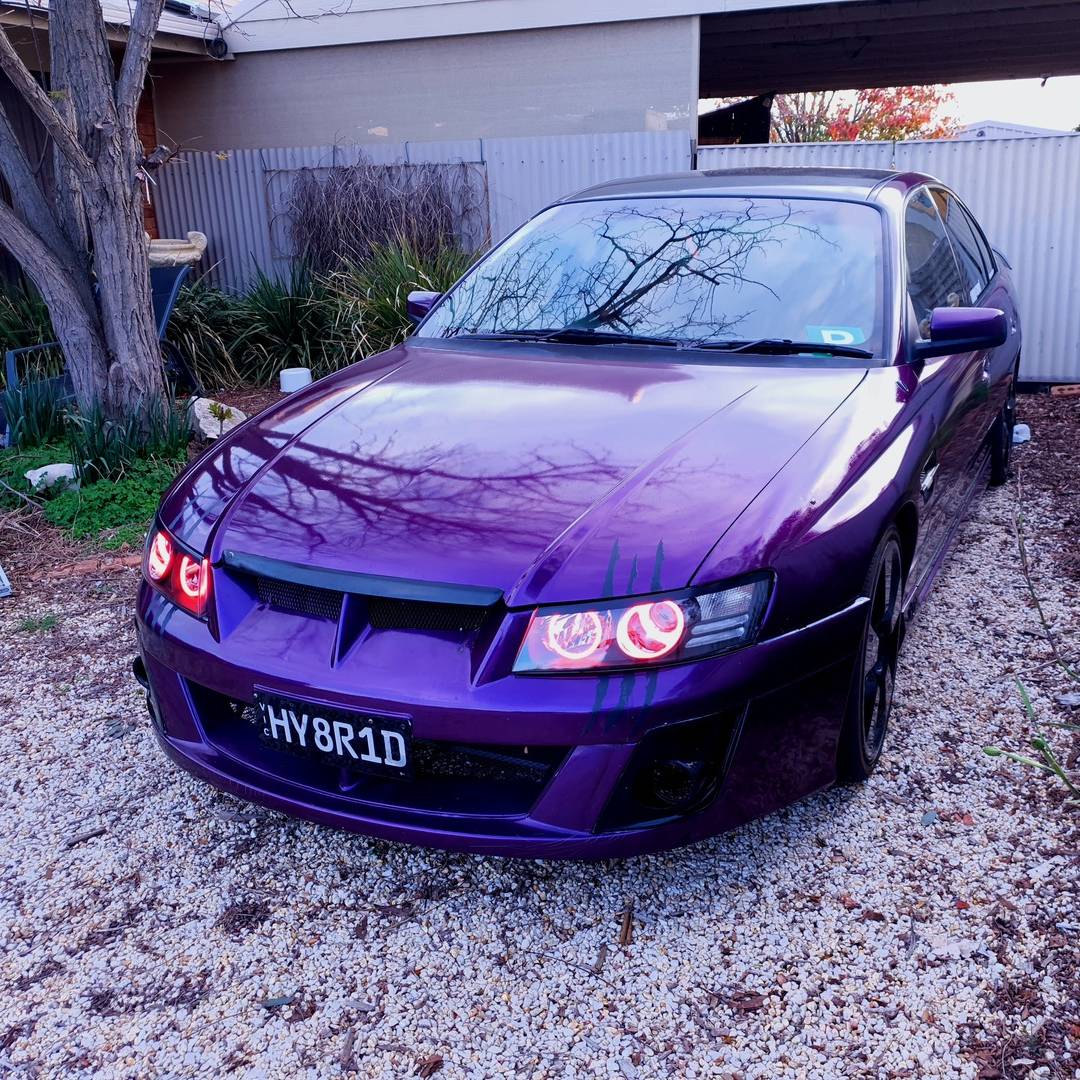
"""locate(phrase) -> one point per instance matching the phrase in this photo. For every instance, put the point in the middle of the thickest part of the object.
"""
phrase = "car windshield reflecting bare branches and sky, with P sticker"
(719, 272)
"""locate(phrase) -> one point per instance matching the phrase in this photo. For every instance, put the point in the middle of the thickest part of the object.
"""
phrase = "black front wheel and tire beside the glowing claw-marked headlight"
(873, 682)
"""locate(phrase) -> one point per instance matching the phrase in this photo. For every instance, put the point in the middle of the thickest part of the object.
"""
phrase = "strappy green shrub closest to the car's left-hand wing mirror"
(369, 299)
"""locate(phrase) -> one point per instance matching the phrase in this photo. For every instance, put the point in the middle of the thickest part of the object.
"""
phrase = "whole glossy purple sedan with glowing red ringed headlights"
(617, 551)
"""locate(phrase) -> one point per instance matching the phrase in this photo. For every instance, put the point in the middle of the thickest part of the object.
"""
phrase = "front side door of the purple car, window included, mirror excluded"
(960, 398)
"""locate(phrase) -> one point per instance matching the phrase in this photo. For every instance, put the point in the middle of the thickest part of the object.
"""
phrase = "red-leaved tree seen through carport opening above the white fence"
(893, 113)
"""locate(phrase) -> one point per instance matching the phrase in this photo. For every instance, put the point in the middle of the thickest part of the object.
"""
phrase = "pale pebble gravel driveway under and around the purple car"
(923, 926)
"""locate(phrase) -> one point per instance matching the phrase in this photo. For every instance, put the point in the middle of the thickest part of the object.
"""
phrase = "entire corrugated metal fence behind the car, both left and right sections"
(1021, 190)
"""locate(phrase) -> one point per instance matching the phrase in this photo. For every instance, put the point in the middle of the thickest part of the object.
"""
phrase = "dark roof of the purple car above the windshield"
(817, 181)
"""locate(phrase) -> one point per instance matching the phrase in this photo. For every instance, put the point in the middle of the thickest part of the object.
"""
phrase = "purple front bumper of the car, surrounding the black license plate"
(768, 718)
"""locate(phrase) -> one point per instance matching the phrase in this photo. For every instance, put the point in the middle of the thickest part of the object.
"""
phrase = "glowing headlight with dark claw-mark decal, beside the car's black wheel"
(644, 631)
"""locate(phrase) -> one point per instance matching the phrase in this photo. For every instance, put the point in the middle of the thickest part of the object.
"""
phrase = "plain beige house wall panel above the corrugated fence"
(639, 76)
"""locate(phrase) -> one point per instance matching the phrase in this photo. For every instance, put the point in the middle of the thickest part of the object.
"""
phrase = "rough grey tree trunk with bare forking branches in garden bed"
(87, 253)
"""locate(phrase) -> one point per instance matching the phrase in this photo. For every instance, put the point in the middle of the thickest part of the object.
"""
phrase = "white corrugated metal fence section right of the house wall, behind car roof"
(1022, 191)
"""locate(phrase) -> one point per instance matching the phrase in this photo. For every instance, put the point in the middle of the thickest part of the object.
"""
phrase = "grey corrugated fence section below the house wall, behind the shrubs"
(238, 197)
